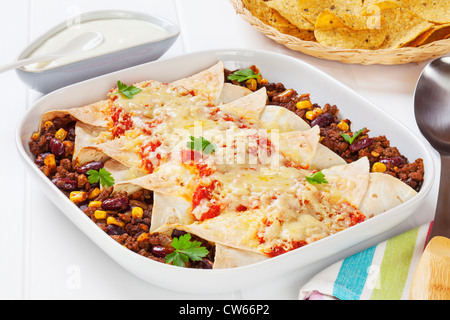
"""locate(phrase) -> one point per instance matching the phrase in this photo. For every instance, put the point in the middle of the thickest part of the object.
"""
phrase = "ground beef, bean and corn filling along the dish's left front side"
(128, 230)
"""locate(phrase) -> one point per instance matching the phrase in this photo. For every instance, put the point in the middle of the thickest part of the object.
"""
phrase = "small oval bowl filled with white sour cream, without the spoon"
(129, 39)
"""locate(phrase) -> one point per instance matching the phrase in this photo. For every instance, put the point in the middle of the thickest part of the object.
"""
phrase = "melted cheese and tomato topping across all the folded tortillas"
(243, 192)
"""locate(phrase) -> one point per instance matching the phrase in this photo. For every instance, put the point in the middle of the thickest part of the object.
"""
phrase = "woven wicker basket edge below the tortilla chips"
(356, 56)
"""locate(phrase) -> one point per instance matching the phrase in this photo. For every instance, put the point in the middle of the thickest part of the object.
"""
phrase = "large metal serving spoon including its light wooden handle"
(431, 280)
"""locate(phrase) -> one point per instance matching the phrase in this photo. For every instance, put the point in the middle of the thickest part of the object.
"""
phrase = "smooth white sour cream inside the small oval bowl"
(118, 34)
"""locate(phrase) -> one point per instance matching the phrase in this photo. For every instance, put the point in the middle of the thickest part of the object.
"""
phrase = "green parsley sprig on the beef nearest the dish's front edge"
(185, 249)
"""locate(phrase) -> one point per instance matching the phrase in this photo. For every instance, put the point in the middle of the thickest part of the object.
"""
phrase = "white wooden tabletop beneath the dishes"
(43, 255)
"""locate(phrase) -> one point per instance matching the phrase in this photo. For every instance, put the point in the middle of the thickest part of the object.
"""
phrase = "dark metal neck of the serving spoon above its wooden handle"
(441, 224)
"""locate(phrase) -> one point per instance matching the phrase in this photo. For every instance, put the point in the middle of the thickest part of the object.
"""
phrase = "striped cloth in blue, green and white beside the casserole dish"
(382, 272)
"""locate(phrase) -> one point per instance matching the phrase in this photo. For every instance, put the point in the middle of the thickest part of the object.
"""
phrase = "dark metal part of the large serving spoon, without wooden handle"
(432, 112)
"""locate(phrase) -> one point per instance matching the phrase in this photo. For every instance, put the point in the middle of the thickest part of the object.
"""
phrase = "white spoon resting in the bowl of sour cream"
(83, 42)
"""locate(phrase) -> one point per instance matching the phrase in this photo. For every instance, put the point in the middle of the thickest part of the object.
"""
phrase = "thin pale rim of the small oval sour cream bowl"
(171, 28)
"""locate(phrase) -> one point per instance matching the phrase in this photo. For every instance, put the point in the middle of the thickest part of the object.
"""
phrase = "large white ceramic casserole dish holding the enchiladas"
(293, 73)
